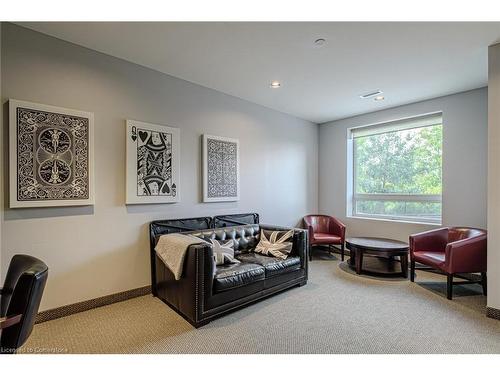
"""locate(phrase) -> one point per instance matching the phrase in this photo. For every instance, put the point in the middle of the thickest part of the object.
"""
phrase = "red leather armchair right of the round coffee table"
(451, 250)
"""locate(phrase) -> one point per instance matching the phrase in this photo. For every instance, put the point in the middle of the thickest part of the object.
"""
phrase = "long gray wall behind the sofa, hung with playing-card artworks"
(94, 251)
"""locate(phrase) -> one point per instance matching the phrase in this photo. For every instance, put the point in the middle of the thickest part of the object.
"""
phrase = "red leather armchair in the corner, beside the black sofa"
(325, 230)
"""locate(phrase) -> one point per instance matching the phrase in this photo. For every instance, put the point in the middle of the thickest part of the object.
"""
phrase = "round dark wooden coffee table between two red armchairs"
(379, 247)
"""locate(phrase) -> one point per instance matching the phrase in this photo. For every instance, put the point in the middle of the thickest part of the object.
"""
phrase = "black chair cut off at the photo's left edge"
(20, 299)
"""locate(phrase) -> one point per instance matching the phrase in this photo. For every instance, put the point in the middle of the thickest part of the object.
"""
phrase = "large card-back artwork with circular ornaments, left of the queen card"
(51, 156)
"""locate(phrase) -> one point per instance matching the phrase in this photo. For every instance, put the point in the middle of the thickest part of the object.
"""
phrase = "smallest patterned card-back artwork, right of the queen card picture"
(220, 169)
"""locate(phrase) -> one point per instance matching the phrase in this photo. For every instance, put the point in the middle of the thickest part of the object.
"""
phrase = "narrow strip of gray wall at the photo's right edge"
(494, 177)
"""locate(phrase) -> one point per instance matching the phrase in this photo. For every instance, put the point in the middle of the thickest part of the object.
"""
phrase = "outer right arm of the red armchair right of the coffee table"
(467, 255)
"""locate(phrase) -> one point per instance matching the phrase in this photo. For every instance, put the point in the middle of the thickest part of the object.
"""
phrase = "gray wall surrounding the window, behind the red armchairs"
(464, 163)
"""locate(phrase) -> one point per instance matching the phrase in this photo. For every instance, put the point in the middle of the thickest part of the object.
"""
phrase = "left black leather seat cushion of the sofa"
(231, 276)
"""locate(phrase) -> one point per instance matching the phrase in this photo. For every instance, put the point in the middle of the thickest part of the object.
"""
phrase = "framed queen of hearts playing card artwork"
(152, 163)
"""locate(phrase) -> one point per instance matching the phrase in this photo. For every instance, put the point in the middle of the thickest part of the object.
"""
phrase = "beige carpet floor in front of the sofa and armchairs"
(336, 312)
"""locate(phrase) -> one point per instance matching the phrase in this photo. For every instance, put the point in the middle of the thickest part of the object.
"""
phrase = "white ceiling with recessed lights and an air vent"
(408, 61)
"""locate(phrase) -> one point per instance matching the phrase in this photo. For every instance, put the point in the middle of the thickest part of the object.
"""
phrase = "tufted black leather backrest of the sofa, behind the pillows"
(245, 237)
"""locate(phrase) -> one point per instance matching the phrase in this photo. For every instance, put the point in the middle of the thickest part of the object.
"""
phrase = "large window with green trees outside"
(395, 170)
